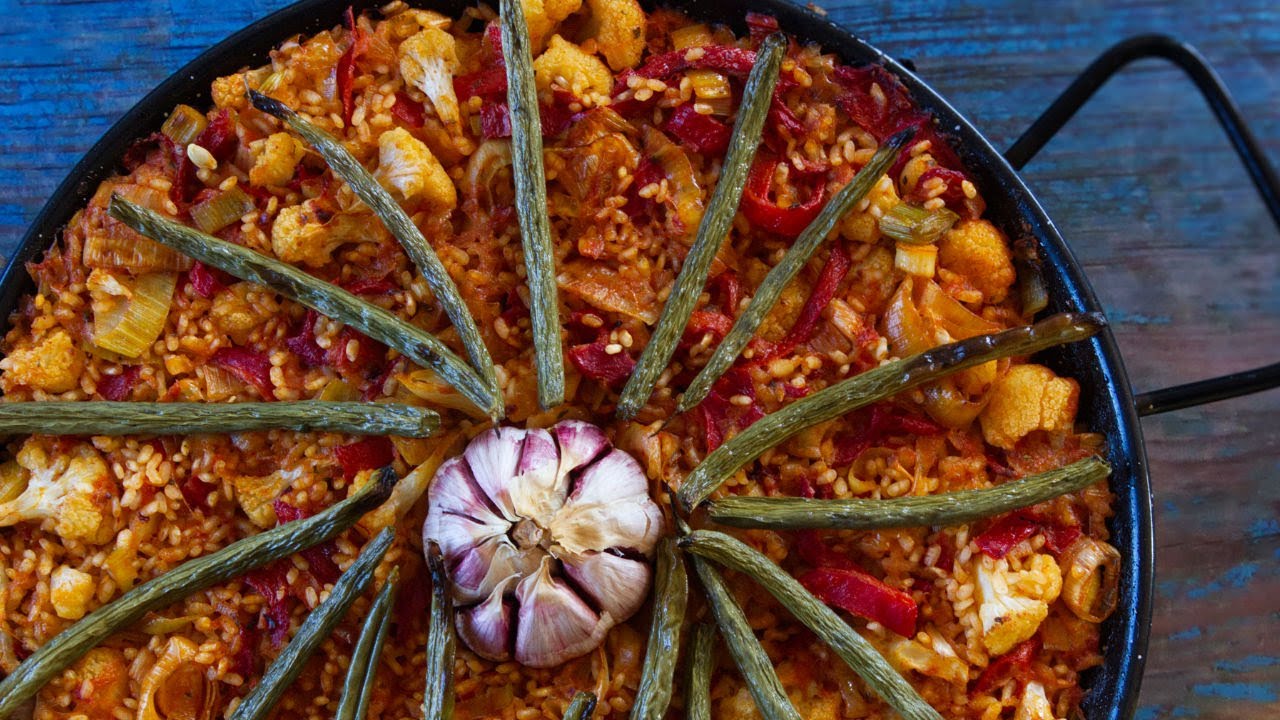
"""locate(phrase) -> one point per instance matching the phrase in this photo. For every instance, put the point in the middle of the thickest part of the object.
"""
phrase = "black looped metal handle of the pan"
(1228, 115)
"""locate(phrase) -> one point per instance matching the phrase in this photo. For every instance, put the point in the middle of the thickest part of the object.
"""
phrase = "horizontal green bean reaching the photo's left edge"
(104, 418)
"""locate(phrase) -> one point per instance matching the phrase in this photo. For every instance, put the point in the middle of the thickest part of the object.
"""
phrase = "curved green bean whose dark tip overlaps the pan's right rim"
(877, 385)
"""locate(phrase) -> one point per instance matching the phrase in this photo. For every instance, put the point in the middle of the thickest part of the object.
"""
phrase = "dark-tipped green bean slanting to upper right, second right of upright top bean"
(796, 258)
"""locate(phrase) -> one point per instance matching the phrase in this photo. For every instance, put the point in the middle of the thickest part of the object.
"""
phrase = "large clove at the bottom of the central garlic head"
(554, 623)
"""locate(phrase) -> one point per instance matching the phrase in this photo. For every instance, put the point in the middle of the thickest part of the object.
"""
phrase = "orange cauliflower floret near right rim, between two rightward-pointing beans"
(1030, 398)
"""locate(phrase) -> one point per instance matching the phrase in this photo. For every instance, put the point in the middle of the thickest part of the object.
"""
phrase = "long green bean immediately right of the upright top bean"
(757, 98)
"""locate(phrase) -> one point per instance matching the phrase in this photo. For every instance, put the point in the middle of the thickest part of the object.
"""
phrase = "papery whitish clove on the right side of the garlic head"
(623, 525)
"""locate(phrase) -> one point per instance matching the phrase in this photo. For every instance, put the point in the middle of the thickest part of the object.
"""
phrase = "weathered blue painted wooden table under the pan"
(1141, 184)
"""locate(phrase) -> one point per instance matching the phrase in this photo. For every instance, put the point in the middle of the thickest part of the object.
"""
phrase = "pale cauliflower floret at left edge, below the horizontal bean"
(63, 487)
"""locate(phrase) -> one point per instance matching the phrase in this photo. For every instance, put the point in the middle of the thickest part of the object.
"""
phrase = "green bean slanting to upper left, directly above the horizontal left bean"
(417, 344)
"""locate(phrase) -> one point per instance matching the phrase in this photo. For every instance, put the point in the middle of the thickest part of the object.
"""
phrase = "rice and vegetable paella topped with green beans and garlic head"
(564, 361)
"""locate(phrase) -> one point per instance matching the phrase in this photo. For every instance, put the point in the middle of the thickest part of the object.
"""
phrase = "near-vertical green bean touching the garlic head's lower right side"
(670, 599)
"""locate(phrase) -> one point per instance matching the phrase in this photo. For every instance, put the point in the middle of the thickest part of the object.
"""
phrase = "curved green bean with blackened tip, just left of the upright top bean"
(346, 167)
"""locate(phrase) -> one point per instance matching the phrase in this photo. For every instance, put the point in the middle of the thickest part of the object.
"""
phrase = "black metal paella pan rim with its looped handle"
(1108, 404)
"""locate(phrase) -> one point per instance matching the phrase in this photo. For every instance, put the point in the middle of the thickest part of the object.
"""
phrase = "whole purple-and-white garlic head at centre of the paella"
(548, 539)
